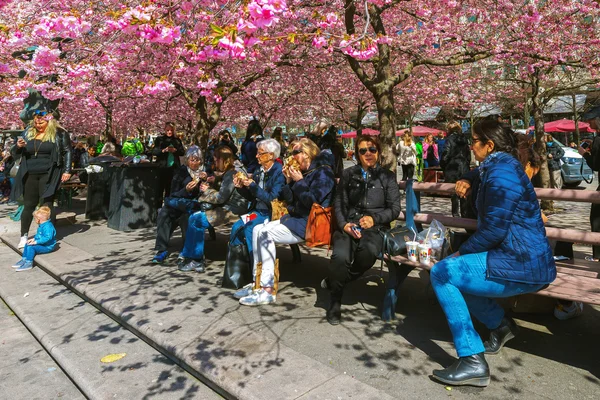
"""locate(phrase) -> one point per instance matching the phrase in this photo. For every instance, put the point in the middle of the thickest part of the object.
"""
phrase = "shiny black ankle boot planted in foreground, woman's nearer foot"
(472, 370)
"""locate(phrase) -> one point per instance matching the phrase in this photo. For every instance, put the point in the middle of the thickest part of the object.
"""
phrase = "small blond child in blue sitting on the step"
(43, 242)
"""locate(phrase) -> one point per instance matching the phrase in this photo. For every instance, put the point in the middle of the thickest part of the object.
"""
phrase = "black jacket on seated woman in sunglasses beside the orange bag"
(377, 197)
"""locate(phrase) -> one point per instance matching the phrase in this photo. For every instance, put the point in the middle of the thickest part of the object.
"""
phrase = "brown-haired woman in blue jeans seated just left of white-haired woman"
(220, 204)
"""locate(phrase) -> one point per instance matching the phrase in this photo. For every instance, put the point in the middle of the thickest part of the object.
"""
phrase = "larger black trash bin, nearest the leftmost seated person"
(134, 196)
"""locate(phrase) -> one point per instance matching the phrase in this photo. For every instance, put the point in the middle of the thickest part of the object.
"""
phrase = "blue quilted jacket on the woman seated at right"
(509, 224)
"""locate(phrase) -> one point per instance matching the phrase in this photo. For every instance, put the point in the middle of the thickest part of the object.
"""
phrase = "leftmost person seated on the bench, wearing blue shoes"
(185, 188)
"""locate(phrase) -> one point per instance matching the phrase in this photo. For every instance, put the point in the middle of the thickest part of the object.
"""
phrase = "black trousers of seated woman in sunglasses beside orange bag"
(351, 258)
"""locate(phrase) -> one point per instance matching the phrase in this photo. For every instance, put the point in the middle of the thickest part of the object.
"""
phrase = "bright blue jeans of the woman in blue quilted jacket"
(461, 286)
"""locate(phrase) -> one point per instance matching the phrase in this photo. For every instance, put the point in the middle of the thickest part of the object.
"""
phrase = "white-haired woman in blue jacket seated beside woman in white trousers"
(264, 187)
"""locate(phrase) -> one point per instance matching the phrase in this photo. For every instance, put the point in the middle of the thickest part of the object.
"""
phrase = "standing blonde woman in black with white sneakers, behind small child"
(43, 153)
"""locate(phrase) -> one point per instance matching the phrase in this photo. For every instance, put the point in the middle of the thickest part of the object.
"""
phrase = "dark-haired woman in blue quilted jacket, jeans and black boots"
(507, 255)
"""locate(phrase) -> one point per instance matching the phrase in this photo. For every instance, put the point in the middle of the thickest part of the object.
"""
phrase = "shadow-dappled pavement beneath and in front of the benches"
(550, 359)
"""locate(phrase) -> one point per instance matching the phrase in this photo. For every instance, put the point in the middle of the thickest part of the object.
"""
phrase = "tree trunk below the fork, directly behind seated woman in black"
(384, 100)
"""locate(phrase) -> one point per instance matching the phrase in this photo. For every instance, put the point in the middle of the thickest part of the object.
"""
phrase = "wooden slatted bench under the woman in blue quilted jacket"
(577, 280)
